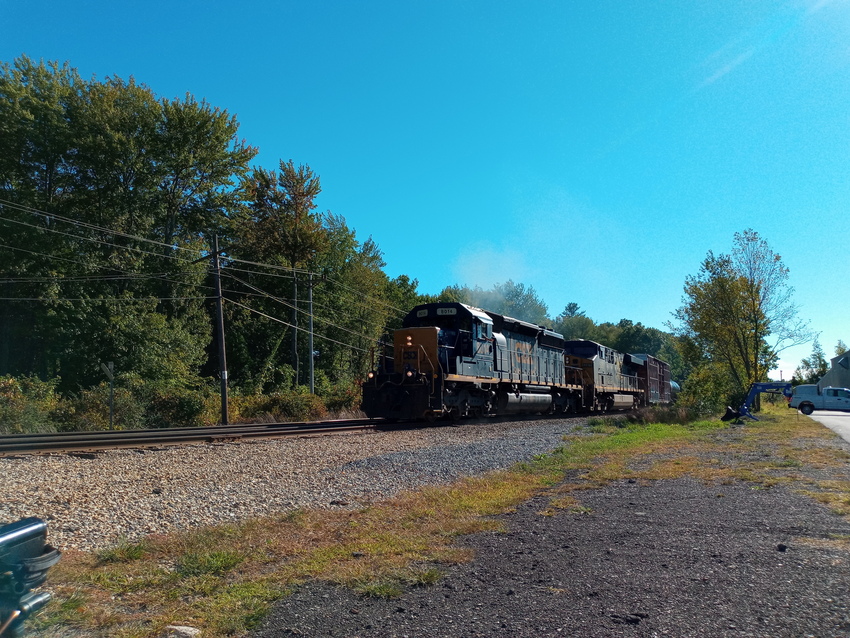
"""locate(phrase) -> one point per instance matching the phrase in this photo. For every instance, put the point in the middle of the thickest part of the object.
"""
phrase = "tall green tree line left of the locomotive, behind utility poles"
(110, 197)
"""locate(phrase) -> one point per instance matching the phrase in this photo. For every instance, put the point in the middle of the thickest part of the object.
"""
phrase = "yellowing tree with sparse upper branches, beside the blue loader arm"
(738, 311)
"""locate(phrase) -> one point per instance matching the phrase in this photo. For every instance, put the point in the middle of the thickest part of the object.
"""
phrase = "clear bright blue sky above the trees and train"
(595, 150)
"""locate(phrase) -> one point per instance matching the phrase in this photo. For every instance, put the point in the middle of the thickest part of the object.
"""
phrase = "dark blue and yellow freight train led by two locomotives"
(454, 360)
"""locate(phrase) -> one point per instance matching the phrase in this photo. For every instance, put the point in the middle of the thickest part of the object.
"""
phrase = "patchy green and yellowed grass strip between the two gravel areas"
(224, 579)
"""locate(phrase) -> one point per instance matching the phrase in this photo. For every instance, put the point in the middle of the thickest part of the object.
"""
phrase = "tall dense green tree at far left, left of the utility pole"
(92, 172)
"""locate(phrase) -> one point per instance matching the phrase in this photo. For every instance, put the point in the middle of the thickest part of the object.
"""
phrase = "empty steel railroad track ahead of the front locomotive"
(14, 444)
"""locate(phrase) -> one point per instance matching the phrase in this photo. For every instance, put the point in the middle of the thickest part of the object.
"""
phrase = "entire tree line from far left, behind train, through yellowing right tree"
(110, 197)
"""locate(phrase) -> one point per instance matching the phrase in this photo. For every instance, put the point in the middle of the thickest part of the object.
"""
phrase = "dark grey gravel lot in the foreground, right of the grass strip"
(679, 556)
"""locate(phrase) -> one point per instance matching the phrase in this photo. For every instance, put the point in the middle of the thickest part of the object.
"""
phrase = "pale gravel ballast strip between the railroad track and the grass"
(93, 500)
